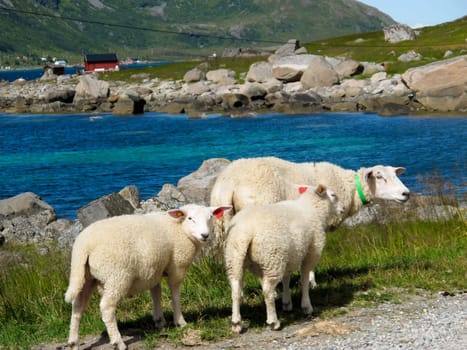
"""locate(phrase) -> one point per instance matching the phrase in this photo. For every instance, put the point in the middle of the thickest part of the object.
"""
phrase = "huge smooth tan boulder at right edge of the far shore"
(440, 86)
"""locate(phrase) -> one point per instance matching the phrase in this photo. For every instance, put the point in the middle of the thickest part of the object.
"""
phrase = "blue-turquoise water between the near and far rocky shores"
(70, 160)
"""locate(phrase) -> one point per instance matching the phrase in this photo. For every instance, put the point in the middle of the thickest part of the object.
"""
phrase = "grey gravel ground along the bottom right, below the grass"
(421, 321)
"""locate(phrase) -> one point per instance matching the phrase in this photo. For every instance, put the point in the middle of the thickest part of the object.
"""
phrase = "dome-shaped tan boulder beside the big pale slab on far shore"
(319, 73)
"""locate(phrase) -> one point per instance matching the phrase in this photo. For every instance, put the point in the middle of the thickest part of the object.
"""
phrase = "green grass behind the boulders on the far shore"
(431, 43)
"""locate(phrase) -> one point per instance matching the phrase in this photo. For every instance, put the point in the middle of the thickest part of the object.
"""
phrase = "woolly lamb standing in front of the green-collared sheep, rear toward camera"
(274, 240)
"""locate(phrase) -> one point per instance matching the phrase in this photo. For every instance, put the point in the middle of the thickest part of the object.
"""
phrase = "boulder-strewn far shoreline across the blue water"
(288, 81)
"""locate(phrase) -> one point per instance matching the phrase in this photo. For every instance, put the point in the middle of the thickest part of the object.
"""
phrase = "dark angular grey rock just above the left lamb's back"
(111, 205)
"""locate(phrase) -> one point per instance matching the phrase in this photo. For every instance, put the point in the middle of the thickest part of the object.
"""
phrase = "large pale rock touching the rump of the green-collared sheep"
(197, 186)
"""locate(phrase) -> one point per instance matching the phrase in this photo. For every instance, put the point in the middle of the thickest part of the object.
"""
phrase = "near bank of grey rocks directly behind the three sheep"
(27, 219)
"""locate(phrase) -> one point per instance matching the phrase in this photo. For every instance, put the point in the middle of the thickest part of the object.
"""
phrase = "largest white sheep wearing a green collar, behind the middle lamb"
(267, 180)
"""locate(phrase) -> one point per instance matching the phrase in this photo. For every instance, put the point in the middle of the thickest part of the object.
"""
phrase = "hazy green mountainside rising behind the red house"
(155, 29)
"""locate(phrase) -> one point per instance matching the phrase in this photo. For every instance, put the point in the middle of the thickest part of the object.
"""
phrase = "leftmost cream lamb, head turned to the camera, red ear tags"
(128, 254)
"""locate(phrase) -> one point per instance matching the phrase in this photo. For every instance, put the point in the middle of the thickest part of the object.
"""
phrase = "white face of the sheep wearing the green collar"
(385, 184)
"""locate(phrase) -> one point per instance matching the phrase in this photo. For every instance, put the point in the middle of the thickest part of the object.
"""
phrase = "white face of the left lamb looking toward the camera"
(196, 220)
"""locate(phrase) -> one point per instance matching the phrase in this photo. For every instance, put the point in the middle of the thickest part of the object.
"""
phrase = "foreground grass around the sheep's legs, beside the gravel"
(360, 265)
